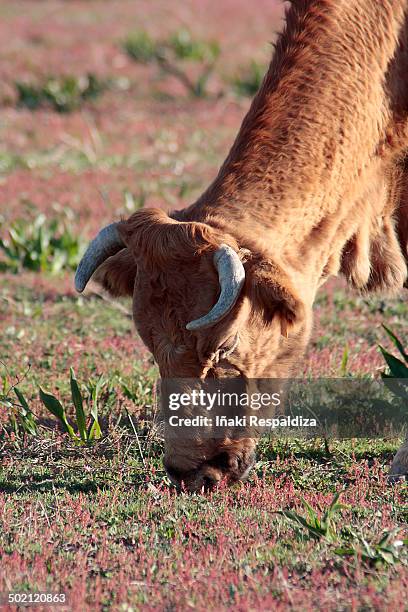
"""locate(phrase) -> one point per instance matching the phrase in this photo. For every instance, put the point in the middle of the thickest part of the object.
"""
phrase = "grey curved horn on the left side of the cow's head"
(107, 243)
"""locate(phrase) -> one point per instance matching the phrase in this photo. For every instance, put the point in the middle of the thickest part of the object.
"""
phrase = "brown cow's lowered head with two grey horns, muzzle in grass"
(205, 308)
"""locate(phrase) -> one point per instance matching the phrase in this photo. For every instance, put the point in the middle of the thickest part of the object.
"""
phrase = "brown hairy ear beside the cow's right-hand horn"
(272, 295)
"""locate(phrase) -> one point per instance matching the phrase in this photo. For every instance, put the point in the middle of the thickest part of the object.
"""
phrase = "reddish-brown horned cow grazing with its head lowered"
(315, 184)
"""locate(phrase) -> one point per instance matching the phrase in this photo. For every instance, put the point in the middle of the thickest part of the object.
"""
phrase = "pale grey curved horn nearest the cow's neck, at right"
(231, 275)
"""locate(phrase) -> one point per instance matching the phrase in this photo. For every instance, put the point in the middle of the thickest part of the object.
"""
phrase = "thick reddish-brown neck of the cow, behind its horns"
(308, 147)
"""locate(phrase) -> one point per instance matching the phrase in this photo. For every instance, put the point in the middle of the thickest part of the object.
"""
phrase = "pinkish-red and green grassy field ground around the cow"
(102, 523)
